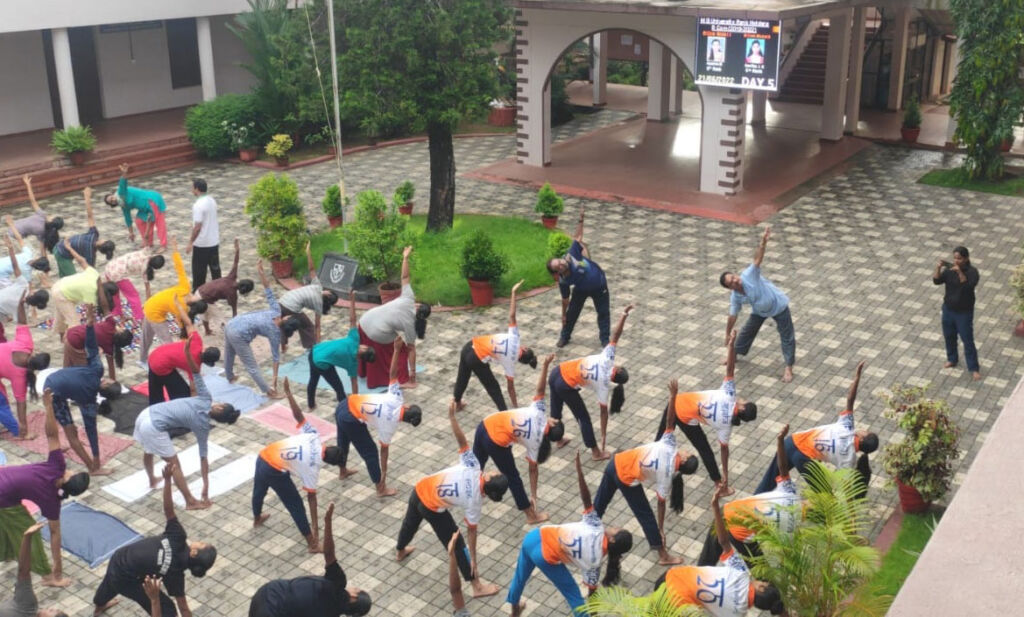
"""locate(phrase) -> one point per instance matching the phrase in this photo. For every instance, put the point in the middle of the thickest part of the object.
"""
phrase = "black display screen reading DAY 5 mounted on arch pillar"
(738, 54)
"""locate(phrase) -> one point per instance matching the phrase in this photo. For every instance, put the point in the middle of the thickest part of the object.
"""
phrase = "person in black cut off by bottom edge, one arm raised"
(313, 596)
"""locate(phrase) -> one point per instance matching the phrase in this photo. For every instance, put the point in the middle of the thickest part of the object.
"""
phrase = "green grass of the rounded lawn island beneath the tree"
(437, 277)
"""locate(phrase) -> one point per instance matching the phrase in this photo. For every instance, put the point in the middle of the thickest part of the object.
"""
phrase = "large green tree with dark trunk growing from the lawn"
(416, 65)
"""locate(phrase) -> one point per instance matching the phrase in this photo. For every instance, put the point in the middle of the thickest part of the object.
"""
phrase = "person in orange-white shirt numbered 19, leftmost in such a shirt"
(303, 456)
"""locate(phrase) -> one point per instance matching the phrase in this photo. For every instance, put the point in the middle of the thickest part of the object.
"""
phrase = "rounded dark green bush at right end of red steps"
(205, 123)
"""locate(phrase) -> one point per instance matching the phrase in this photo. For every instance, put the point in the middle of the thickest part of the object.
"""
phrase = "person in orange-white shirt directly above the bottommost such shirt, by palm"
(778, 508)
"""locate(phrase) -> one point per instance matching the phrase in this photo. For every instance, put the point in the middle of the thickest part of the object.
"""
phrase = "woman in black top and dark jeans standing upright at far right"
(958, 308)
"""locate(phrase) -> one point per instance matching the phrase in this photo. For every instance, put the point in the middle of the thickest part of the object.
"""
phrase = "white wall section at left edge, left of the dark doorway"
(25, 100)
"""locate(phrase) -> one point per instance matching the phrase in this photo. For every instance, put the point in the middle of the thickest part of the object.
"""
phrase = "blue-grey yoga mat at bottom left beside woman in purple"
(92, 536)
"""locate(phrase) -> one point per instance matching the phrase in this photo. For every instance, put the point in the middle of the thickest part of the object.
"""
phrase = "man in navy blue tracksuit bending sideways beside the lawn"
(587, 280)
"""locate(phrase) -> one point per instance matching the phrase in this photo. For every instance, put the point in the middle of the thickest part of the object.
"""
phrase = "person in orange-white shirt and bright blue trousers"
(553, 548)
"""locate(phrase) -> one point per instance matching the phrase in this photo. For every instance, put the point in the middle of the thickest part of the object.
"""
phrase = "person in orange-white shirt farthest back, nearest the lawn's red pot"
(504, 349)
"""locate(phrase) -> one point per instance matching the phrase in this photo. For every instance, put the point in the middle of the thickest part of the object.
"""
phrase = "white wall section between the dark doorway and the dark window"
(136, 77)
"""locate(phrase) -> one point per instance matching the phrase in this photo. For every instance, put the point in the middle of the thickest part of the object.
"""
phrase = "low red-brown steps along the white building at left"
(58, 177)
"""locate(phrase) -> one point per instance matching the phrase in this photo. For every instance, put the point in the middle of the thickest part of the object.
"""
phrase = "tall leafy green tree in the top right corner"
(989, 96)
